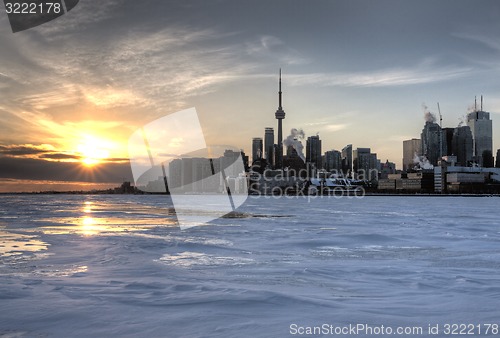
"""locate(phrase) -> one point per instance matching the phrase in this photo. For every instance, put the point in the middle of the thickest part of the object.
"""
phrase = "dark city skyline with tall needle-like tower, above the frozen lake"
(467, 143)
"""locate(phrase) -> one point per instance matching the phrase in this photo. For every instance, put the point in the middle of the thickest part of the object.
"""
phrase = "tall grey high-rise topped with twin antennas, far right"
(482, 133)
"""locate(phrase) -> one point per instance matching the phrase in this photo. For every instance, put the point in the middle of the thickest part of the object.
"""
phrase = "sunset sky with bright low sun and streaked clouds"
(73, 90)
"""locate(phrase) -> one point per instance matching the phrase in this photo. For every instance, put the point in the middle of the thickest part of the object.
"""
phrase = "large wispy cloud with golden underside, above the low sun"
(155, 70)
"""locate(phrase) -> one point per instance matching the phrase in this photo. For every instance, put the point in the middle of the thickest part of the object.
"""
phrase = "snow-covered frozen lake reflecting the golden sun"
(103, 265)
